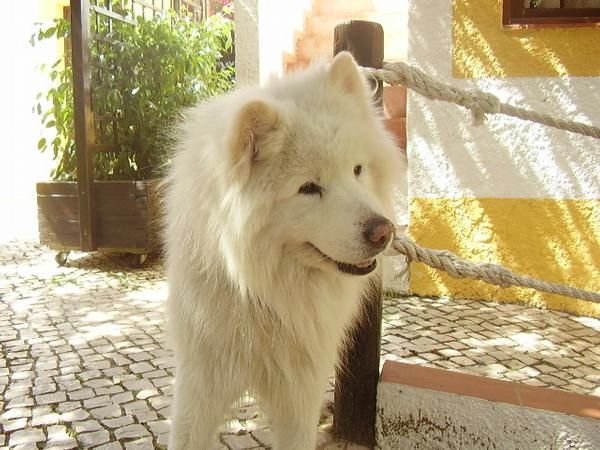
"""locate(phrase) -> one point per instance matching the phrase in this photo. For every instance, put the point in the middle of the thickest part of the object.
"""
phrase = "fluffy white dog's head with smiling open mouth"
(313, 170)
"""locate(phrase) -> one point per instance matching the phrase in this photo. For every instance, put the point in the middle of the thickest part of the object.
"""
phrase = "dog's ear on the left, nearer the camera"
(254, 124)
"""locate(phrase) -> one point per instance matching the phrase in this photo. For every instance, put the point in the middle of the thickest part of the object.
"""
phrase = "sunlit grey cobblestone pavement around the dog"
(84, 362)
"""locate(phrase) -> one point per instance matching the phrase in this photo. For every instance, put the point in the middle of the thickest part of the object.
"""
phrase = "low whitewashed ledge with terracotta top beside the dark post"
(423, 407)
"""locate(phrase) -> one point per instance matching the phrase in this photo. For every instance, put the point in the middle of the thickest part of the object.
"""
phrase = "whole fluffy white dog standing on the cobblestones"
(278, 207)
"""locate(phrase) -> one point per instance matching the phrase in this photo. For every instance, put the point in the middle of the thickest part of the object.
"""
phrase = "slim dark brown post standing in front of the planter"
(84, 125)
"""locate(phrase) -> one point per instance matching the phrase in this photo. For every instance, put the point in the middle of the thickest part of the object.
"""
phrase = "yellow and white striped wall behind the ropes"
(509, 192)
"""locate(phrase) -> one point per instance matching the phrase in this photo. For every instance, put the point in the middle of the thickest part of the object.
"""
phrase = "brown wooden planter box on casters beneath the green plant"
(126, 216)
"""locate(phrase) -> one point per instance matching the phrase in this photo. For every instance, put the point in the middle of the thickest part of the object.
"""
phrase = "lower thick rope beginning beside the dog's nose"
(489, 273)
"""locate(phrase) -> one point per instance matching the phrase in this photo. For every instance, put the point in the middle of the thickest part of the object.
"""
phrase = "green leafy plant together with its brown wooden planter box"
(142, 73)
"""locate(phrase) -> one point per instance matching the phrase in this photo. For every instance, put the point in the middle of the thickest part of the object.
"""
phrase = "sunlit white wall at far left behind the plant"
(21, 163)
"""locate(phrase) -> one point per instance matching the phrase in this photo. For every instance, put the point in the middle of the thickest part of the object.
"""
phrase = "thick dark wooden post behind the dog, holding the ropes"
(356, 385)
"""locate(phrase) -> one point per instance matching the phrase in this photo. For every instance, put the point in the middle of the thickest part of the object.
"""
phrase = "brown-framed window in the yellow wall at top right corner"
(550, 13)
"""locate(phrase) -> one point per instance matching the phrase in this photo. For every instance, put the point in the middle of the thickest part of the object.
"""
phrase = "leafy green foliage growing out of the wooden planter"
(142, 76)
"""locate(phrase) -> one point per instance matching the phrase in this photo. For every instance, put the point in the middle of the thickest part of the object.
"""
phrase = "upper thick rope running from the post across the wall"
(479, 102)
